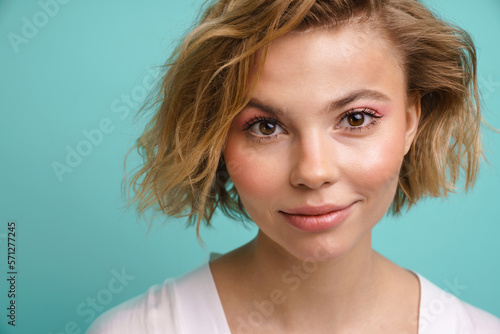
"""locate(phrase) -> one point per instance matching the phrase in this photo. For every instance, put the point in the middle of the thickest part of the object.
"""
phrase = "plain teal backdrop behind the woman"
(73, 236)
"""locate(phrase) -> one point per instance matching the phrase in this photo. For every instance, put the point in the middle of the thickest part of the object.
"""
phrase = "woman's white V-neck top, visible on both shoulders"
(191, 305)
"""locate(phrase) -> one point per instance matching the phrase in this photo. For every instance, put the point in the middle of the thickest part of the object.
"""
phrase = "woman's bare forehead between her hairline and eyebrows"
(329, 63)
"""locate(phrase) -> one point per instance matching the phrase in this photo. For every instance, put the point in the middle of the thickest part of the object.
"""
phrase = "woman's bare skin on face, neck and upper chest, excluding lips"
(306, 152)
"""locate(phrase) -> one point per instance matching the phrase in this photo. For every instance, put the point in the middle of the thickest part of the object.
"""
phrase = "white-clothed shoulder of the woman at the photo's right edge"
(442, 312)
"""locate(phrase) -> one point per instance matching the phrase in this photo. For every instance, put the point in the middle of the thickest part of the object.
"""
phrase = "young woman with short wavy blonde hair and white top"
(313, 119)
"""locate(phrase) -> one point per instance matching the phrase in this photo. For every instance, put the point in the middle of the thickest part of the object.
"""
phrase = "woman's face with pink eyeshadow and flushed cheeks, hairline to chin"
(315, 156)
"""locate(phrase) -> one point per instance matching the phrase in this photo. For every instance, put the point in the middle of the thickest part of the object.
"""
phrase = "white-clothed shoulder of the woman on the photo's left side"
(184, 305)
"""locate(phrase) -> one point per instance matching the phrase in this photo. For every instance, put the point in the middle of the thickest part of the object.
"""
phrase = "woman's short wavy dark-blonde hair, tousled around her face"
(206, 83)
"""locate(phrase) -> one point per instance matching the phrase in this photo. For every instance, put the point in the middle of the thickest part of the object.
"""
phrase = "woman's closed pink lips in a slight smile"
(314, 219)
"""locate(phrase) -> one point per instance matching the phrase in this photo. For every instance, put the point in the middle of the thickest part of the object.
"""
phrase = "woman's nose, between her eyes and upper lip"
(313, 162)
